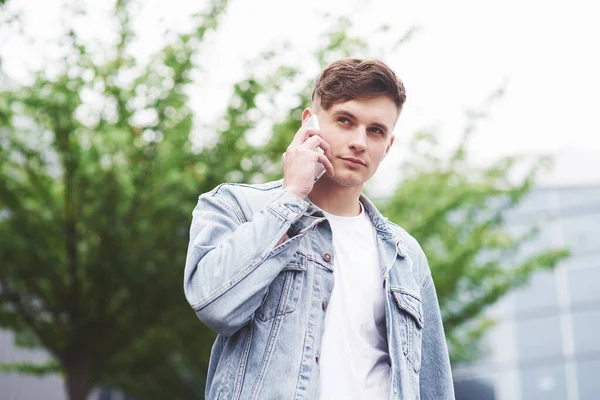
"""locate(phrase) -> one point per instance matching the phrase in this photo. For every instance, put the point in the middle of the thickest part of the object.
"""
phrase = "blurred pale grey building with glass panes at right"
(546, 344)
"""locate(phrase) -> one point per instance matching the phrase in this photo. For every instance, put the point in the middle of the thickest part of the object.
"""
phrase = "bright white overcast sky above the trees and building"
(545, 53)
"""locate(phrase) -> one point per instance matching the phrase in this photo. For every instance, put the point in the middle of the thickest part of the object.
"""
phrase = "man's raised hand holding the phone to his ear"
(299, 161)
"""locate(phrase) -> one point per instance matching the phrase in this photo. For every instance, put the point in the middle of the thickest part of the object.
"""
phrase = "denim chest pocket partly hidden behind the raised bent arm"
(283, 293)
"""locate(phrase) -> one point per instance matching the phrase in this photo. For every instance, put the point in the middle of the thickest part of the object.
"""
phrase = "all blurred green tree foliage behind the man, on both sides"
(96, 198)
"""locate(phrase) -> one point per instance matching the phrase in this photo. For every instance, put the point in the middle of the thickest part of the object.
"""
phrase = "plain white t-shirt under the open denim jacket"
(354, 357)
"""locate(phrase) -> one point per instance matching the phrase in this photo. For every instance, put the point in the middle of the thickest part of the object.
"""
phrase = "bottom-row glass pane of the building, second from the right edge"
(544, 383)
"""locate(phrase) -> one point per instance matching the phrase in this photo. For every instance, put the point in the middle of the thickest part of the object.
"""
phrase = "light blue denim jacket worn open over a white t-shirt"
(267, 301)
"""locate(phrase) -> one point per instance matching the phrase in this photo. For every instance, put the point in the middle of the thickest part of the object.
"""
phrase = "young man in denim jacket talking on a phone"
(314, 294)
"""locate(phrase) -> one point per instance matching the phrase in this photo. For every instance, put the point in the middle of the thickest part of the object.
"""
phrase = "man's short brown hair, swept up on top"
(352, 78)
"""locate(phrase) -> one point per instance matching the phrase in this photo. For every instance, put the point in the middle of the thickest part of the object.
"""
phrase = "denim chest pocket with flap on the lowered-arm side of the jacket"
(411, 326)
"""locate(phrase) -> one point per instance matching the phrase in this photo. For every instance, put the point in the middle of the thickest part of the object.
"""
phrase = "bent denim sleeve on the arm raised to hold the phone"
(231, 262)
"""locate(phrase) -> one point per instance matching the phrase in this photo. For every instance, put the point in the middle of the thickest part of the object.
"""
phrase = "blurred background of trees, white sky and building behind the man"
(116, 116)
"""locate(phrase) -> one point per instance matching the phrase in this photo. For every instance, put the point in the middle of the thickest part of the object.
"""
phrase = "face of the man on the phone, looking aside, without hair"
(359, 133)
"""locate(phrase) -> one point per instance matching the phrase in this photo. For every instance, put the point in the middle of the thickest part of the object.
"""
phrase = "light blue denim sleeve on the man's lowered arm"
(435, 376)
